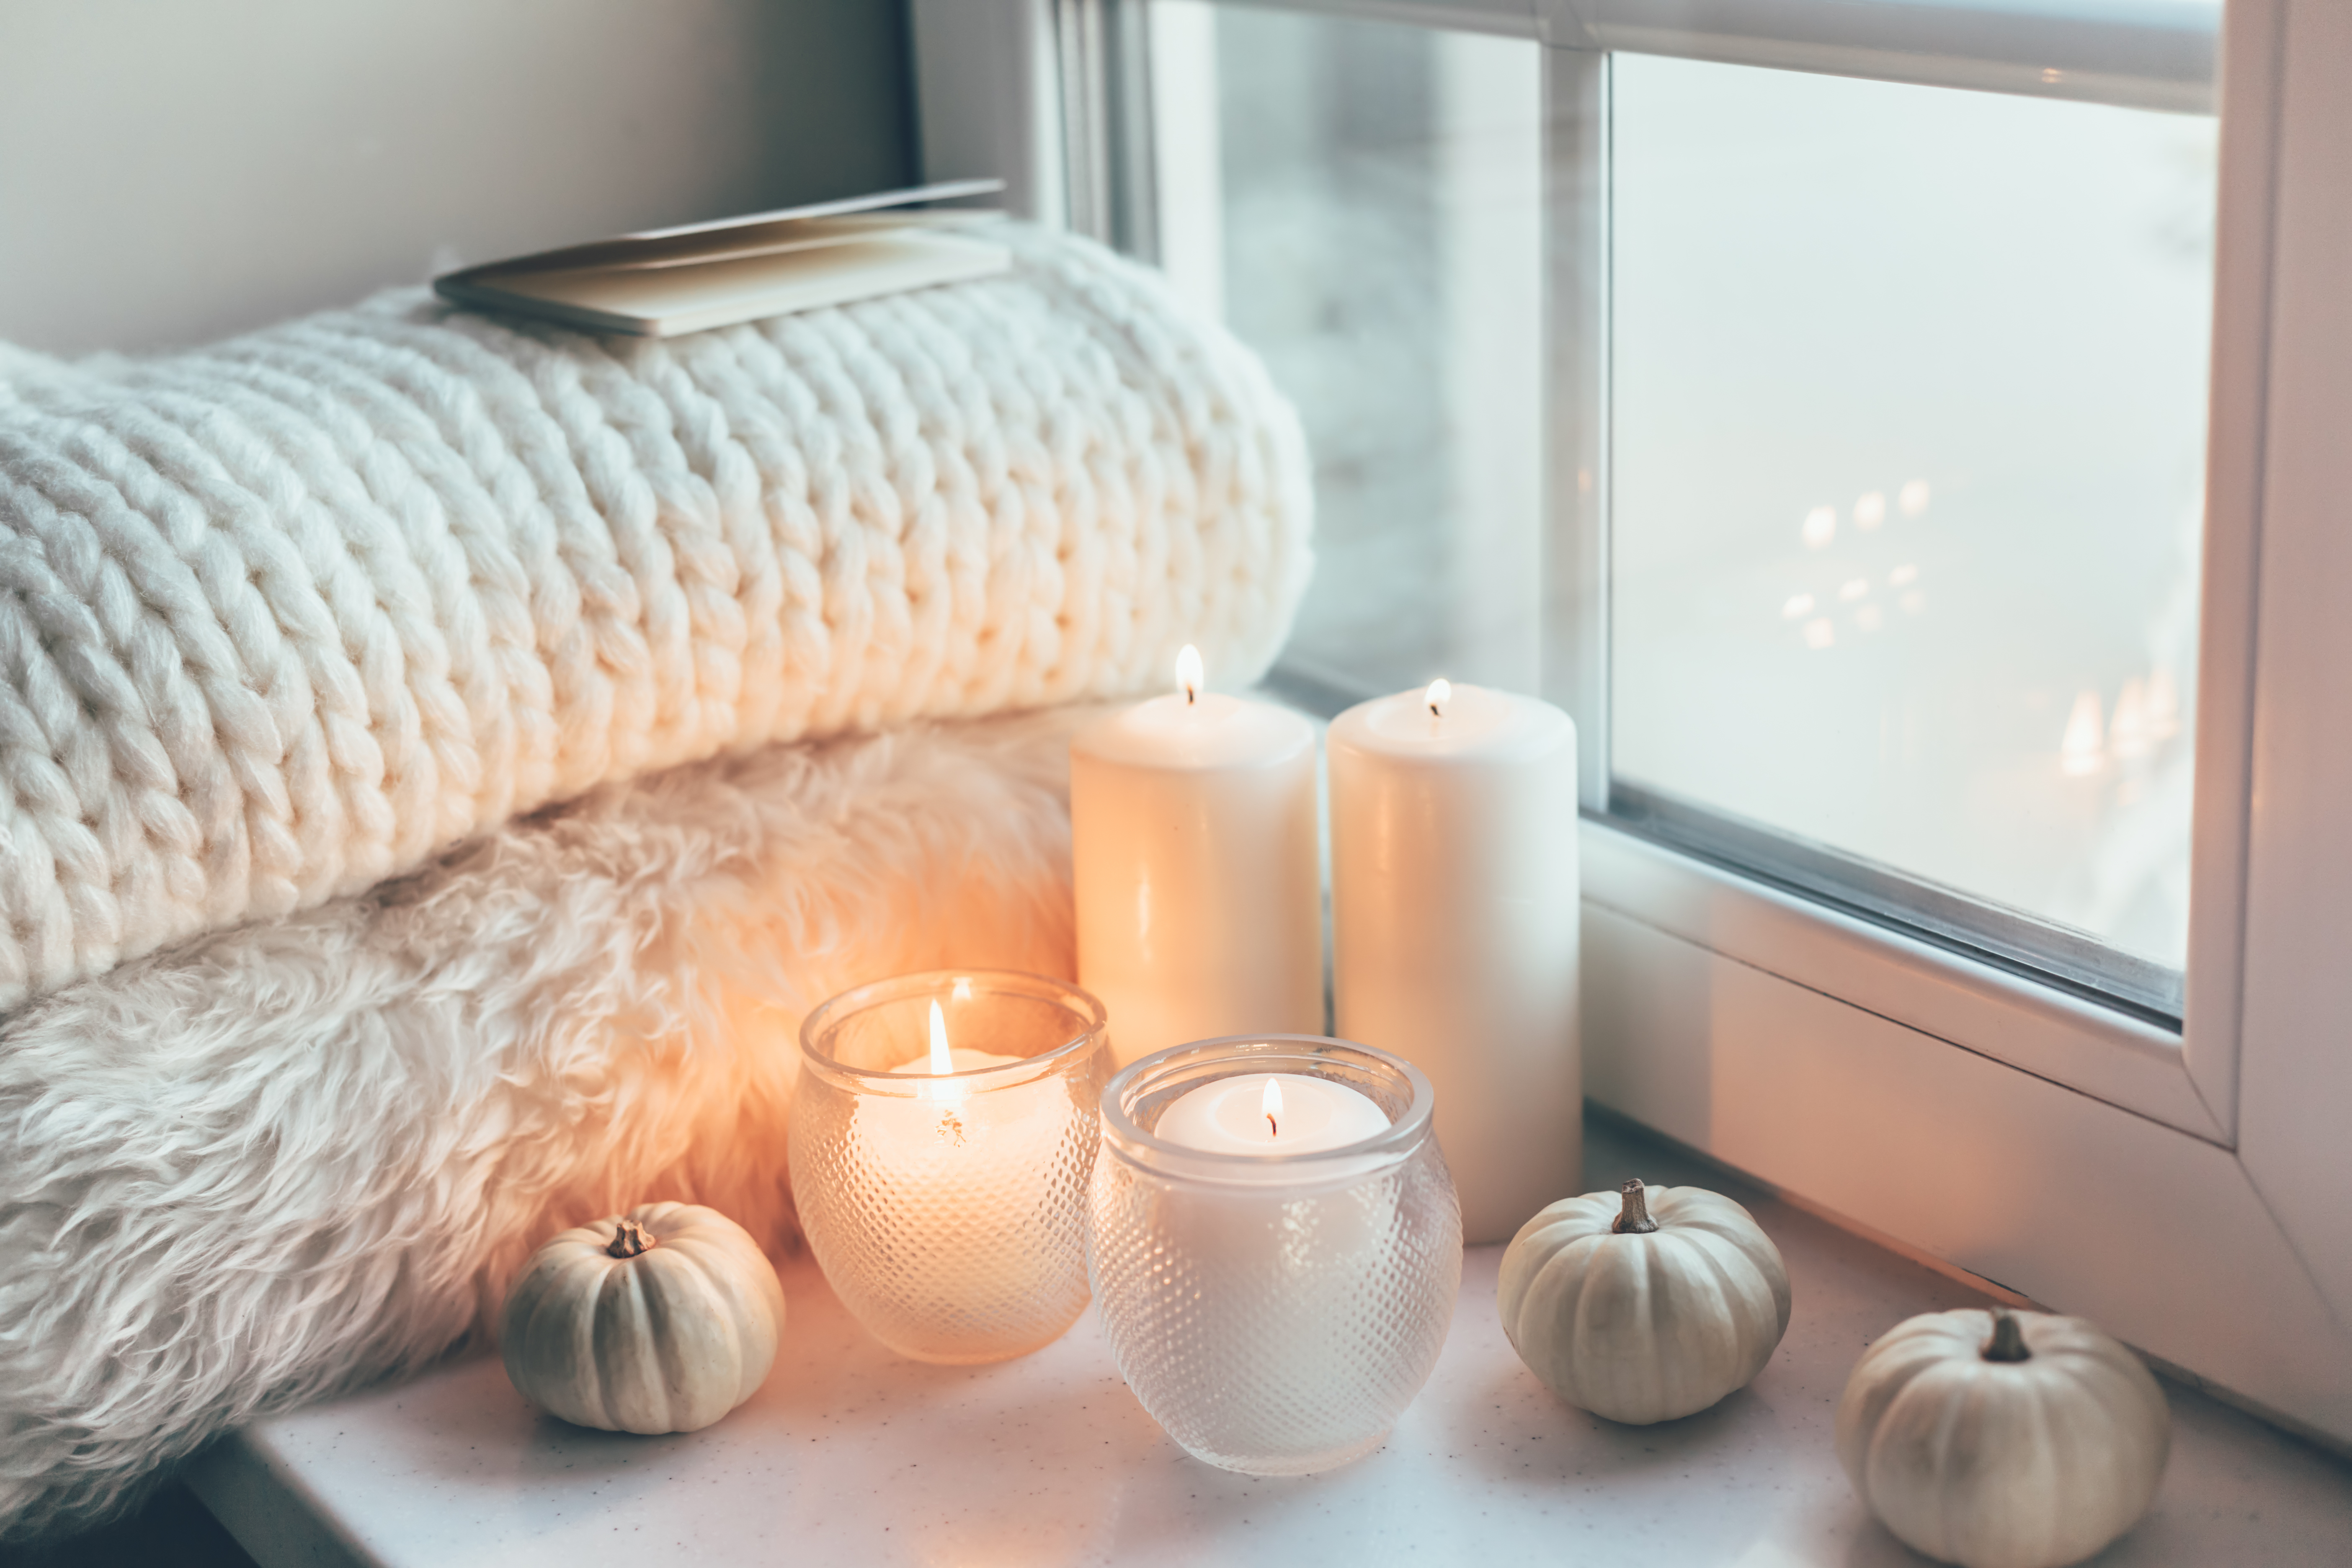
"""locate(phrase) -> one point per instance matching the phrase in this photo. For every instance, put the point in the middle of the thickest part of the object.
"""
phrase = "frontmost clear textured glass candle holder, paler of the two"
(1274, 1313)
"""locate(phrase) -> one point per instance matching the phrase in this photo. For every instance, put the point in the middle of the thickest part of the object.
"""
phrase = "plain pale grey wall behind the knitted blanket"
(175, 170)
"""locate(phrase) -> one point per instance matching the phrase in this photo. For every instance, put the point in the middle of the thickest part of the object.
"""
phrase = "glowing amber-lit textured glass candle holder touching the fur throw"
(949, 1209)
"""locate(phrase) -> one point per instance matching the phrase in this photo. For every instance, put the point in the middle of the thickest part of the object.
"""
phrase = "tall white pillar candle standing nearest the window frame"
(1455, 918)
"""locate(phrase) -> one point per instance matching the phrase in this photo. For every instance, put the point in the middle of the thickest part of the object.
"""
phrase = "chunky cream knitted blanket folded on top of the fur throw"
(293, 615)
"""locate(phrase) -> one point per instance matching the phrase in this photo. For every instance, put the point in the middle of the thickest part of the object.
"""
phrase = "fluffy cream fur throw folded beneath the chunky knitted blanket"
(295, 1158)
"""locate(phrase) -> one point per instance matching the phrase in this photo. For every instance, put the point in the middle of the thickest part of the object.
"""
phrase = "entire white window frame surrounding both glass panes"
(2189, 1191)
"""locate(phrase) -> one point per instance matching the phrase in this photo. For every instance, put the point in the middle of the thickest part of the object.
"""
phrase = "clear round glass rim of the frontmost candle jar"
(1250, 1054)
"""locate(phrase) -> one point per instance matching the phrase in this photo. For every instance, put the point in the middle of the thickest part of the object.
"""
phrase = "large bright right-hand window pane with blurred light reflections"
(1909, 460)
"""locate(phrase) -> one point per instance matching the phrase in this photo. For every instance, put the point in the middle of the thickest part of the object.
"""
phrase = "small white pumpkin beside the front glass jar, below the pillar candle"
(1643, 1304)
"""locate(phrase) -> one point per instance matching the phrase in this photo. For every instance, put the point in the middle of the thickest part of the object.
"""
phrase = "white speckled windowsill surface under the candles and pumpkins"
(855, 1456)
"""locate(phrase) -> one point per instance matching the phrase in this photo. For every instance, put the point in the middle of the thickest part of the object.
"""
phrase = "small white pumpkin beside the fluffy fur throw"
(660, 1320)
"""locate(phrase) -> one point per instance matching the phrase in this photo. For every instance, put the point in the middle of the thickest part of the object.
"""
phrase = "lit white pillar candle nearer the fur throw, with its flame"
(1196, 873)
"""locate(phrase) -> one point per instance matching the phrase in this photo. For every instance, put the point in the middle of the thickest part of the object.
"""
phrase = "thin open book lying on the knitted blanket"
(702, 276)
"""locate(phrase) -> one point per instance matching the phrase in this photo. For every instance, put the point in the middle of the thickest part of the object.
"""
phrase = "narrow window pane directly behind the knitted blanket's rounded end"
(1363, 206)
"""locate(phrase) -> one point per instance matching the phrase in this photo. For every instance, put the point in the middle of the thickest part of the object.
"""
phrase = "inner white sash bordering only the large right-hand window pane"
(2184, 1078)
